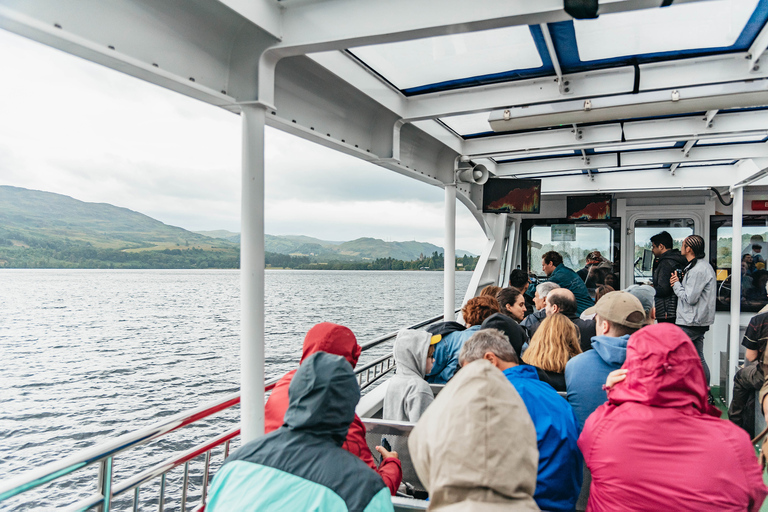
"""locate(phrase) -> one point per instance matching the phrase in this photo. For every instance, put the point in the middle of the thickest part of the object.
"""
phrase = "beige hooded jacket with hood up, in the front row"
(475, 446)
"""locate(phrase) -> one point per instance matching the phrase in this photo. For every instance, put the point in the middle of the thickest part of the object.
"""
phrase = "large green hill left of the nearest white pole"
(42, 229)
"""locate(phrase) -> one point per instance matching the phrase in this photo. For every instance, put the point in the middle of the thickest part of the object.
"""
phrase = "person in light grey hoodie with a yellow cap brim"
(408, 394)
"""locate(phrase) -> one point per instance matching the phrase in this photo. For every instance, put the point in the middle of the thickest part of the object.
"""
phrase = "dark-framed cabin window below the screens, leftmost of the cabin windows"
(574, 241)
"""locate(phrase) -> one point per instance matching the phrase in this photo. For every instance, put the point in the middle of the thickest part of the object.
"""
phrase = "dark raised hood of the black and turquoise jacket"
(322, 397)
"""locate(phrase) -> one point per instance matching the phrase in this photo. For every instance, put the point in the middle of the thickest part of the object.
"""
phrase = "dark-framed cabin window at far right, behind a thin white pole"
(753, 271)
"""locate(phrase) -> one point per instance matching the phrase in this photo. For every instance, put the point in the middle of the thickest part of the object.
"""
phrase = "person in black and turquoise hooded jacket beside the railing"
(301, 465)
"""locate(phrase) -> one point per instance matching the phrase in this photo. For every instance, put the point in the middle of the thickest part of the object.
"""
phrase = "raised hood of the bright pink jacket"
(664, 370)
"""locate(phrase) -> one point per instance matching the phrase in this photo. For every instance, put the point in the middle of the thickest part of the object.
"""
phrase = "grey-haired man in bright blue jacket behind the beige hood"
(559, 477)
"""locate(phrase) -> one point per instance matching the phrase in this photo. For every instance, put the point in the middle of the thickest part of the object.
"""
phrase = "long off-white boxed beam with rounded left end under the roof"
(657, 103)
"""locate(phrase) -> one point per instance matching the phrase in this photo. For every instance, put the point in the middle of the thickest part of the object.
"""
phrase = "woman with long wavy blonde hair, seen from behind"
(555, 342)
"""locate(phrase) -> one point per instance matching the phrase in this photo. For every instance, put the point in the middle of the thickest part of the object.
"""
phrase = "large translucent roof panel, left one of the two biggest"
(439, 59)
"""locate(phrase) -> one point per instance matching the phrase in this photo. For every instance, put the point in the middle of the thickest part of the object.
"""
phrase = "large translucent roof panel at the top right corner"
(713, 24)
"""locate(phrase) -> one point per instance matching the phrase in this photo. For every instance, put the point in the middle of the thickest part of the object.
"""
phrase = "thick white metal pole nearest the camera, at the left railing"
(252, 275)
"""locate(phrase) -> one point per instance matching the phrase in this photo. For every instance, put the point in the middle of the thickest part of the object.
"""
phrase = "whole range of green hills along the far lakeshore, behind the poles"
(43, 229)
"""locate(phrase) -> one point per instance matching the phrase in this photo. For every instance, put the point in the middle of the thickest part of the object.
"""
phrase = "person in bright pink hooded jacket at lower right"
(657, 444)
